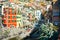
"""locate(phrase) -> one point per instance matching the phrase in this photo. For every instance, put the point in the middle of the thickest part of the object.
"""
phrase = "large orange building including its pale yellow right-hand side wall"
(11, 17)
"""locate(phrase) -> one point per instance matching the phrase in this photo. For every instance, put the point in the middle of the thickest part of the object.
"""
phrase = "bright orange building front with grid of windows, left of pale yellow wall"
(9, 18)
